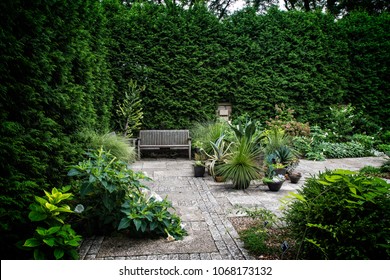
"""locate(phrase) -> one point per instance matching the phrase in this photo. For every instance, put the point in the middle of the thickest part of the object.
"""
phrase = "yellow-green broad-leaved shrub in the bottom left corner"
(54, 239)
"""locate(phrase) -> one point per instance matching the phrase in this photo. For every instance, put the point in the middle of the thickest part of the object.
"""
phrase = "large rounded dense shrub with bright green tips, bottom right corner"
(341, 215)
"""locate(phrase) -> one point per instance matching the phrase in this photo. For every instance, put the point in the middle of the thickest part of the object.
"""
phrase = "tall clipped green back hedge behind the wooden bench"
(189, 61)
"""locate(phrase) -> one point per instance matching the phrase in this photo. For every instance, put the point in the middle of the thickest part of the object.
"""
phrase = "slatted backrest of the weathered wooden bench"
(164, 137)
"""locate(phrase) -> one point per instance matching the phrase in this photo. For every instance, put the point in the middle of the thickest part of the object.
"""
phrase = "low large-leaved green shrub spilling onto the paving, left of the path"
(150, 215)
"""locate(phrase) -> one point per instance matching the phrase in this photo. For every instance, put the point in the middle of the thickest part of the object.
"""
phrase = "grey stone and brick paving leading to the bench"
(204, 207)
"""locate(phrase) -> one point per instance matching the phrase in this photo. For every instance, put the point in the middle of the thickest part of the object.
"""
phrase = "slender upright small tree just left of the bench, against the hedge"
(130, 109)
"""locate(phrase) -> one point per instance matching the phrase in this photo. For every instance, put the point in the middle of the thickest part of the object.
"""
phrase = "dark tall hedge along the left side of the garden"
(54, 83)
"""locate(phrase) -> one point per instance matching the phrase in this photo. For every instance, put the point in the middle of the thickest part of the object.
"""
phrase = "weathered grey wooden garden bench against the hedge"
(151, 139)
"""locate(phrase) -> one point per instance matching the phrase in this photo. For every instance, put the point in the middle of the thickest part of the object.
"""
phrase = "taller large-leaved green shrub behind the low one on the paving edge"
(104, 183)
